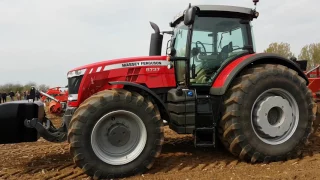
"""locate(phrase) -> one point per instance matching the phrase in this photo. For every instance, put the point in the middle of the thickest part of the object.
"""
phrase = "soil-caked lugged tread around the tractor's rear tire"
(230, 133)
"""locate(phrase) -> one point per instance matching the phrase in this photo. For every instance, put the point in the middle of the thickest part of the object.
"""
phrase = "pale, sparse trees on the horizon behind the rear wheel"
(310, 52)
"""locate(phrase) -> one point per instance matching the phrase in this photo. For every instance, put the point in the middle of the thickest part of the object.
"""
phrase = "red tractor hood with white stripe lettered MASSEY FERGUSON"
(84, 80)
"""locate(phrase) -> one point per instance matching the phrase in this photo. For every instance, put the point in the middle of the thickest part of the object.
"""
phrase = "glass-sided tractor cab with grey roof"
(205, 38)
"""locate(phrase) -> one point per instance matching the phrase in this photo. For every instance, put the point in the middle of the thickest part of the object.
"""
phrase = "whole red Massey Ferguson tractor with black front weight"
(211, 83)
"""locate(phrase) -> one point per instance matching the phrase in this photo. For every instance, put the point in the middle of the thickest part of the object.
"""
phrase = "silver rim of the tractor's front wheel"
(118, 137)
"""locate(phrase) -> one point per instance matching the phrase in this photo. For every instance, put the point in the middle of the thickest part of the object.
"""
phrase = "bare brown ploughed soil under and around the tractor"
(179, 160)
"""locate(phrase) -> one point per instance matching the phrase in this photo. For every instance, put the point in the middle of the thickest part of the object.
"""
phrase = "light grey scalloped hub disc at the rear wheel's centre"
(274, 116)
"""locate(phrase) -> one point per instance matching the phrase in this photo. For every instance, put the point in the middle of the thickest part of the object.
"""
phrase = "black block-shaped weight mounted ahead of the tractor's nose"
(12, 118)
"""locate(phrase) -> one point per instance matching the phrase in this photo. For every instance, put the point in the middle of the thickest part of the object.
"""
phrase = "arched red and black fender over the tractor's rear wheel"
(233, 69)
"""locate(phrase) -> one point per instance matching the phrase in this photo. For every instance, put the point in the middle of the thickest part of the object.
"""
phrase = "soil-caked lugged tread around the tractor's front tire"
(79, 121)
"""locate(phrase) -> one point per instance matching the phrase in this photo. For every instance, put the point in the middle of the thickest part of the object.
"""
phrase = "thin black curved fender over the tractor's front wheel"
(161, 106)
